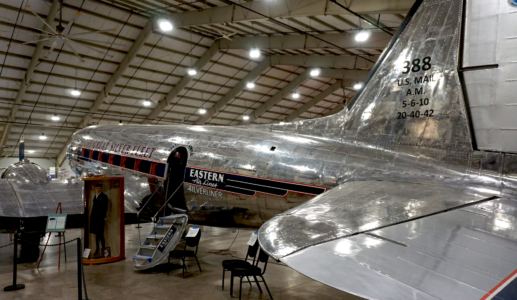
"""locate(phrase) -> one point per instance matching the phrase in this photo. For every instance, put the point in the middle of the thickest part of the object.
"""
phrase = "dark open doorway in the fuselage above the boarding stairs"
(177, 163)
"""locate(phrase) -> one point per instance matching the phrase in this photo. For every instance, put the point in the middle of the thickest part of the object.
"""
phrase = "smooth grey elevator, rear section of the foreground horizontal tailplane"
(467, 253)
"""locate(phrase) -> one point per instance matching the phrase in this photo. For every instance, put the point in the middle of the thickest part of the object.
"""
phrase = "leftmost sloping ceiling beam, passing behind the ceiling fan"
(28, 75)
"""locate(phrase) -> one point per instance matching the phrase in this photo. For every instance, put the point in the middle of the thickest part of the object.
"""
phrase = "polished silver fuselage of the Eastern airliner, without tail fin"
(272, 152)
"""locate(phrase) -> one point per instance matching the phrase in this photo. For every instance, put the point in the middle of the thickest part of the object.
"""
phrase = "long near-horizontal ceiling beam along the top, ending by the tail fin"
(284, 8)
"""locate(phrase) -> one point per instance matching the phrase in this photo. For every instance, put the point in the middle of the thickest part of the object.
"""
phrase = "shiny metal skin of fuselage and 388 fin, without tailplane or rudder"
(368, 141)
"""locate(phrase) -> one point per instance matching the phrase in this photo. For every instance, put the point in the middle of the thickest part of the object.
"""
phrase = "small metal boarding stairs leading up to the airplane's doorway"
(165, 235)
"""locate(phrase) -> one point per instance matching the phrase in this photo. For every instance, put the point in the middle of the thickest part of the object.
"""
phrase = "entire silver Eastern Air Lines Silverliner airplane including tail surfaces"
(409, 194)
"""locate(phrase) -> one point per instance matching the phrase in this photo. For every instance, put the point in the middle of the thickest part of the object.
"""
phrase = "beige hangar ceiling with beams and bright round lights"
(116, 55)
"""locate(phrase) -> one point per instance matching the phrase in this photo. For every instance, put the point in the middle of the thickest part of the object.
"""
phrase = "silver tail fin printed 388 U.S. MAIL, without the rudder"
(414, 100)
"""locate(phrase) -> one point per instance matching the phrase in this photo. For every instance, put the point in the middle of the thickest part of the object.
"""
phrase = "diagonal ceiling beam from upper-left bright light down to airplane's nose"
(131, 54)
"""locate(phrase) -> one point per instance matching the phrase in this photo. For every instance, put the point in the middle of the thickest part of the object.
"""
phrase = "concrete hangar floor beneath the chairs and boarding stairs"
(120, 281)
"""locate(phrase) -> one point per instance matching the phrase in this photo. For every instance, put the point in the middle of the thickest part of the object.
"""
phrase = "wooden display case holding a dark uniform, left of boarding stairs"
(104, 219)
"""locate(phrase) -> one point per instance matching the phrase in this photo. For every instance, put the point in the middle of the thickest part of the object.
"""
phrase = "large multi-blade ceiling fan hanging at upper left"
(62, 34)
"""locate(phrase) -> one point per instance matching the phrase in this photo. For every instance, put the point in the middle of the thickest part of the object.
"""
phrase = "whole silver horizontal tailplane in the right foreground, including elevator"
(395, 240)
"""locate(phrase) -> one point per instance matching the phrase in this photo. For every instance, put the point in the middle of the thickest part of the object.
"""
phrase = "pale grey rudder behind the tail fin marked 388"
(490, 72)
